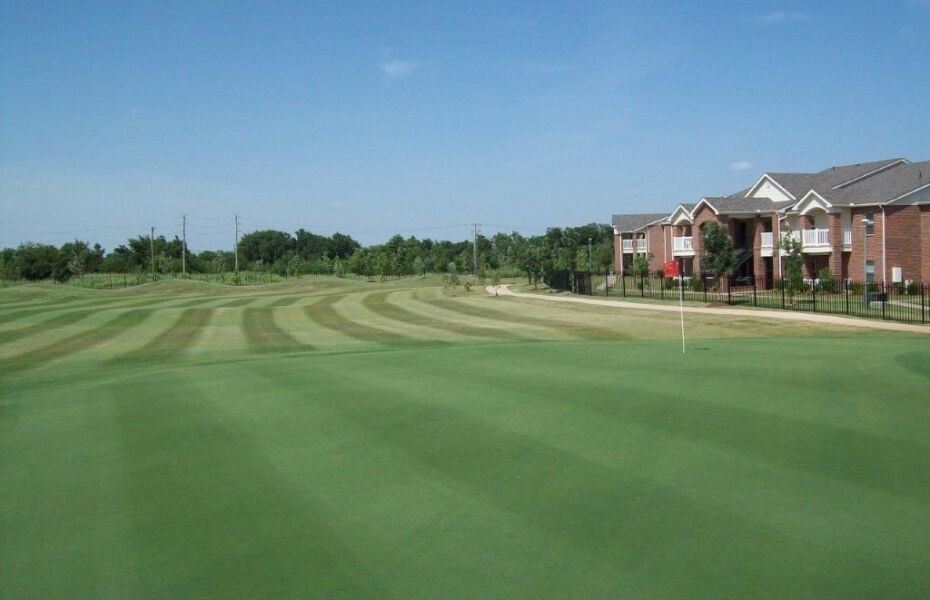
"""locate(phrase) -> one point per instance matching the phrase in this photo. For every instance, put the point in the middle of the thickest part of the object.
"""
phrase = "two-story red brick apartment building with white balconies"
(868, 221)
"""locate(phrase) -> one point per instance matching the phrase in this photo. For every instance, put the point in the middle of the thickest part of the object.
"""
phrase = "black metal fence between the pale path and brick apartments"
(903, 302)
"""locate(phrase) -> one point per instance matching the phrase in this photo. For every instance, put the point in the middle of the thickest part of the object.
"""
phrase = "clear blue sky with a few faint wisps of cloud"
(377, 117)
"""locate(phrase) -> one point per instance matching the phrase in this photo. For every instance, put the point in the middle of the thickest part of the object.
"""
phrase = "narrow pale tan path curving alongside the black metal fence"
(787, 315)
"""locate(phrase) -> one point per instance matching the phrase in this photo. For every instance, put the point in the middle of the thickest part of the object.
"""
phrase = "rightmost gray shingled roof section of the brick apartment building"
(885, 187)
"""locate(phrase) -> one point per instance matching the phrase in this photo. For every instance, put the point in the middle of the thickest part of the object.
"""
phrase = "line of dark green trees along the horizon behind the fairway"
(303, 252)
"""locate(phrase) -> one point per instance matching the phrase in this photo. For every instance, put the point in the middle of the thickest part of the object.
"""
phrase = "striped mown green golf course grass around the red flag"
(333, 438)
